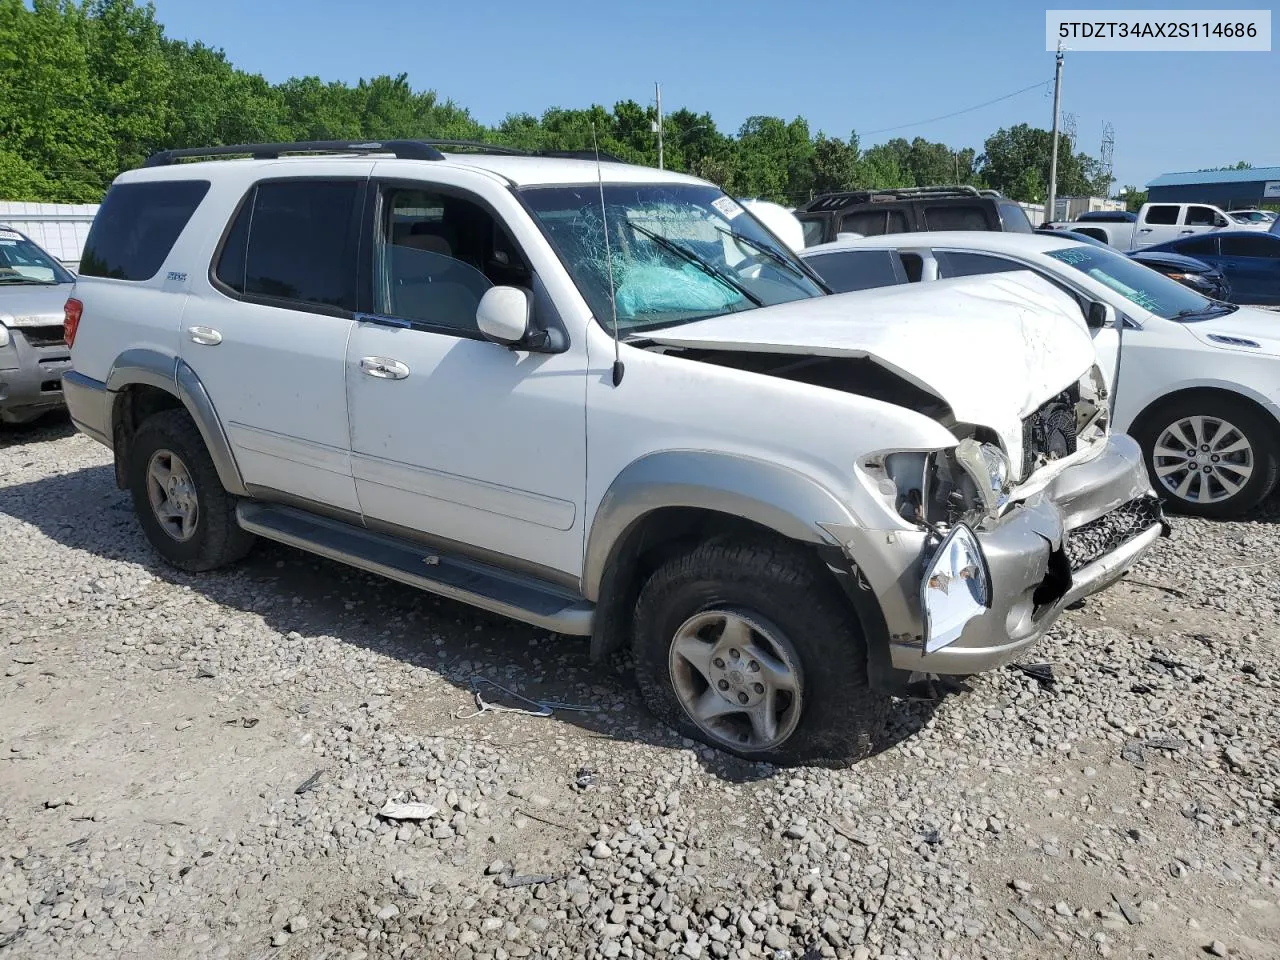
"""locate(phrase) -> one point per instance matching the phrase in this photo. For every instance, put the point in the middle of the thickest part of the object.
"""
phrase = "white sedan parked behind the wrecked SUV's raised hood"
(1195, 381)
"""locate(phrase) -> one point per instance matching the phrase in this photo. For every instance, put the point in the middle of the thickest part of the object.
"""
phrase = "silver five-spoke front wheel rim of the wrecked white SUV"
(738, 678)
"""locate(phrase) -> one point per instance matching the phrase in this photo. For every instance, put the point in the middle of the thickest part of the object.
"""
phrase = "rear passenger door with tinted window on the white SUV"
(269, 340)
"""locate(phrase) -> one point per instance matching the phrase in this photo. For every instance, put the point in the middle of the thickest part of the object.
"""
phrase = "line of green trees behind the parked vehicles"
(92, 89)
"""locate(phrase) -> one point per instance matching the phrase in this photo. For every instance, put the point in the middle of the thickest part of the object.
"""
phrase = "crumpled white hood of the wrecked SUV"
(994, 348)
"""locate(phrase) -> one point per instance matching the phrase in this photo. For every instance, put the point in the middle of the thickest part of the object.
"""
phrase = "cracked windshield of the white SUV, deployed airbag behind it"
(679, 253)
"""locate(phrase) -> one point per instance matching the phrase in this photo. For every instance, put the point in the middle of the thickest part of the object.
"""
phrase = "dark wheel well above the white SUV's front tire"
(646, 546)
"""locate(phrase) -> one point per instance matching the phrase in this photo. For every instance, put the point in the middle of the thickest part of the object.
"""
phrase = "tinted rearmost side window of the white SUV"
(138, 226)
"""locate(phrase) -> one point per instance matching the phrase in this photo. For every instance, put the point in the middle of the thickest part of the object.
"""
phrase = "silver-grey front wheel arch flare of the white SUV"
(766, 493)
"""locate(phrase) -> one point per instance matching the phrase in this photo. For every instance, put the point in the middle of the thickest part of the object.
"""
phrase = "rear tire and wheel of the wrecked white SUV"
(181, 504)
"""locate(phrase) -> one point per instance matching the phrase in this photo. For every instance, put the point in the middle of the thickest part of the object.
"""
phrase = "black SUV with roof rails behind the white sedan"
(909, 211)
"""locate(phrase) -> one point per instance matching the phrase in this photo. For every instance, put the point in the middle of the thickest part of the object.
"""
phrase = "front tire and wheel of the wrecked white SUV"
(749, 647)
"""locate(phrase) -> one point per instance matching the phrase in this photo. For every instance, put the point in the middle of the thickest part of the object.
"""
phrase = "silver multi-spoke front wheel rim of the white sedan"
(1203, 460)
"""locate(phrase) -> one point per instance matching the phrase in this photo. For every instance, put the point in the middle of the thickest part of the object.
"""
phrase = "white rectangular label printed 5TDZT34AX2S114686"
(1158, 30)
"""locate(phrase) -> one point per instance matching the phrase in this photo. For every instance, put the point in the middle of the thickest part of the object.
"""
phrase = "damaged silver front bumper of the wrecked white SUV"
(1036, 569)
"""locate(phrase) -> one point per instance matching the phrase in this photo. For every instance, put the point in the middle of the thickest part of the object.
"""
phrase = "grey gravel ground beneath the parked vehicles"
(194, 767)
